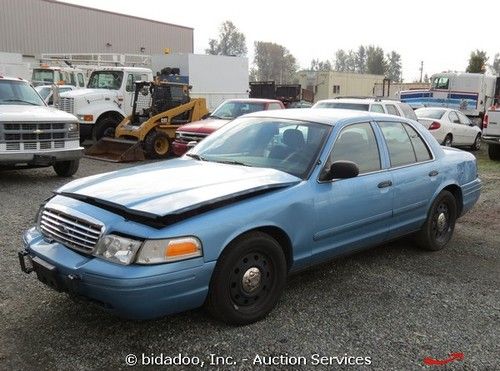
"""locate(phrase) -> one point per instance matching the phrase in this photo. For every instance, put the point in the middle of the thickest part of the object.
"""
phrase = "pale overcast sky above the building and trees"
(441, 33)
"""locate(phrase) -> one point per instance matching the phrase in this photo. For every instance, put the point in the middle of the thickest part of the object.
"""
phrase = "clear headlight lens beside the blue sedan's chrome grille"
(117, 249)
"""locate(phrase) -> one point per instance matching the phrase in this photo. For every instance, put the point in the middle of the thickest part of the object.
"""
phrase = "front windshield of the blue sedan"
(287, 145)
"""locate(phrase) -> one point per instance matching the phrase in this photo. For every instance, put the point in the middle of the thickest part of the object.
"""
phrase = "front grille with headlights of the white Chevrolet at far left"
(35, 135)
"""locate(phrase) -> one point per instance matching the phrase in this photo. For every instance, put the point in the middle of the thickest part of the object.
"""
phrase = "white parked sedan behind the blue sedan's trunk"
(450, 127)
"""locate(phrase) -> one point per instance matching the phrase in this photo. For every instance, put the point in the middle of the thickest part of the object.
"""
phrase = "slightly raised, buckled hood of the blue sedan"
(175, 187)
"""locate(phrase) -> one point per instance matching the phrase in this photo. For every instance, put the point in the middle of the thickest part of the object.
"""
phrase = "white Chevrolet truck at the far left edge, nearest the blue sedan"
(34, 135)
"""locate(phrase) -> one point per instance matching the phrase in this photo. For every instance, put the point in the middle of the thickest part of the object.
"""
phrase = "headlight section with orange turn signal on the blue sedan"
(164, 251)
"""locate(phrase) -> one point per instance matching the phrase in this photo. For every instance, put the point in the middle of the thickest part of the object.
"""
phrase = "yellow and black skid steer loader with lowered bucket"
(149, 132)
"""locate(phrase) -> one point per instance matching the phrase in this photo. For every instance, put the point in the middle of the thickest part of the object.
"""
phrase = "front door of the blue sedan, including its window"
(353, 213)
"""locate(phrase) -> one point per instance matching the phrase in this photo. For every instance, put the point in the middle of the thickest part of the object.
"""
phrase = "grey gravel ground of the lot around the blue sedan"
(394, 303)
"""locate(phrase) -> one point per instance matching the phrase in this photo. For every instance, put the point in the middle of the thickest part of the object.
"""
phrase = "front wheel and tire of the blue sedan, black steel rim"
(248, 279)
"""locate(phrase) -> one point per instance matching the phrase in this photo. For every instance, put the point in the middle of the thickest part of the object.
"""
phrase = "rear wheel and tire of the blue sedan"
(440, 224)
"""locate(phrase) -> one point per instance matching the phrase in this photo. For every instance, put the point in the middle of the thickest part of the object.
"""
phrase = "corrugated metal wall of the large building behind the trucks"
(31, 27)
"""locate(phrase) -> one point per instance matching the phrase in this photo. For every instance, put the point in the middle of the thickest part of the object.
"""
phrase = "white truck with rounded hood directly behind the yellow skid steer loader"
(106, 100)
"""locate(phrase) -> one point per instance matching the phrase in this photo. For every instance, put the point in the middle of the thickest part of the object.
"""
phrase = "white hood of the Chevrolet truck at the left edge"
(22, 113)
